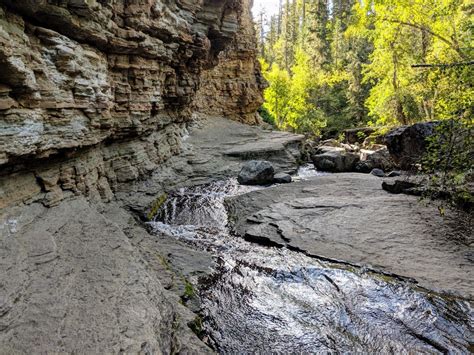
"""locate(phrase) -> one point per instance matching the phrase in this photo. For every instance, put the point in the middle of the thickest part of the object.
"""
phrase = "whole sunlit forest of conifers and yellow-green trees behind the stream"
(339, 64)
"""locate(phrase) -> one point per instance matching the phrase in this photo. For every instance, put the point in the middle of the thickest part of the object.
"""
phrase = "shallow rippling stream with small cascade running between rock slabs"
(264, 299)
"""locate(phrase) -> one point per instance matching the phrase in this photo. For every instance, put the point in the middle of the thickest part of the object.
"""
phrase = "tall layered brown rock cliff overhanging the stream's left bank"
(94, 94)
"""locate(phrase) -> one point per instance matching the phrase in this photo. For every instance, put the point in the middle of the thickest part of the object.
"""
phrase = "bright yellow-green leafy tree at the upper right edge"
(408, 32)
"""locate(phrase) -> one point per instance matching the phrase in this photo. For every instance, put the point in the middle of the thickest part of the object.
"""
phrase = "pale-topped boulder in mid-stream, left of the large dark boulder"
(335, 159)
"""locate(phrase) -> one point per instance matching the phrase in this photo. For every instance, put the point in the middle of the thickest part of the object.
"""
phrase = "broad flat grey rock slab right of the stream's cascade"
(349, 217)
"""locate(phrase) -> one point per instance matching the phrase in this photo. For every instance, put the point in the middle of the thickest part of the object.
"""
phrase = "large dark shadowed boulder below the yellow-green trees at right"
(407, 144)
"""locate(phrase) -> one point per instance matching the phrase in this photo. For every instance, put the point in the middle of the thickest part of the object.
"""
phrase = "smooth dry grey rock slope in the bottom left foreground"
(68, 272)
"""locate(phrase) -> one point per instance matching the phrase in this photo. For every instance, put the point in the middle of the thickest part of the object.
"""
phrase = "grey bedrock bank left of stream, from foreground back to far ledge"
(85, 276)
